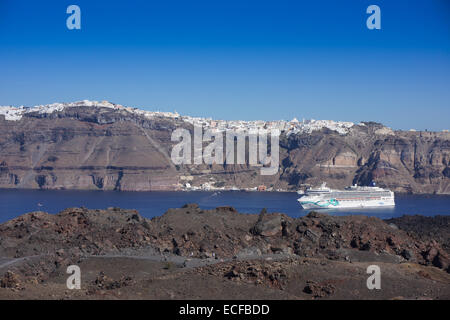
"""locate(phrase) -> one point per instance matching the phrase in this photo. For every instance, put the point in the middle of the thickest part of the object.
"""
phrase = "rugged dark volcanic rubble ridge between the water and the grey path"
(223, 233)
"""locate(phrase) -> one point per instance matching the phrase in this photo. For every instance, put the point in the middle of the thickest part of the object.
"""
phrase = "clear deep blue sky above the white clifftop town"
(230, 59)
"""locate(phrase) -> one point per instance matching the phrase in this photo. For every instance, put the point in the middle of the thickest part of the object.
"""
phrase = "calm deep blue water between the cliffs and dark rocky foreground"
(16, 202)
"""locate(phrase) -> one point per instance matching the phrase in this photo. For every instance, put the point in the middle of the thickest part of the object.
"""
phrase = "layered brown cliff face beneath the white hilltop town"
(85, 147)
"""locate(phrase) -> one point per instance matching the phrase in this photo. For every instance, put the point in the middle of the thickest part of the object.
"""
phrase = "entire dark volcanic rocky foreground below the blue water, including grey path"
(193, 253)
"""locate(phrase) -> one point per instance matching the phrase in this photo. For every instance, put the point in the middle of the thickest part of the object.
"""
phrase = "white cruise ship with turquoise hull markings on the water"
(351, 197)
